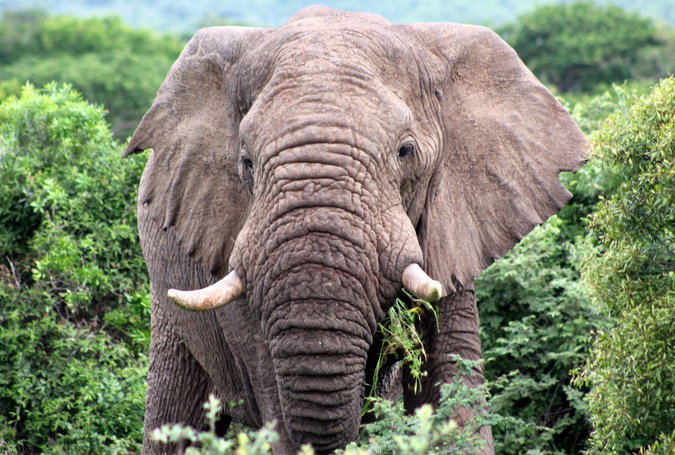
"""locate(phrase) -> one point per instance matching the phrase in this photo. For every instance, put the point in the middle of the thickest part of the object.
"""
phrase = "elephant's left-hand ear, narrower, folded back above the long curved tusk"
(191, 184)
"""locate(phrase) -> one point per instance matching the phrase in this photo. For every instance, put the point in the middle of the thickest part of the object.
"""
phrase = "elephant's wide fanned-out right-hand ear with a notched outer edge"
(505, 141)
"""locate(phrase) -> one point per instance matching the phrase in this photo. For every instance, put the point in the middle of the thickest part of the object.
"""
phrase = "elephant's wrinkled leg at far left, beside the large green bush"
(177, 388)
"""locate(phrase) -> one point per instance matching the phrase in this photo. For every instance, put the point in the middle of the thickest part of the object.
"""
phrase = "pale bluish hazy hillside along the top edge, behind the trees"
(186, 16)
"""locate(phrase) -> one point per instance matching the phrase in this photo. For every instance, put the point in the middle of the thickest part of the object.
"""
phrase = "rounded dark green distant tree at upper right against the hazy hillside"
(575, 46)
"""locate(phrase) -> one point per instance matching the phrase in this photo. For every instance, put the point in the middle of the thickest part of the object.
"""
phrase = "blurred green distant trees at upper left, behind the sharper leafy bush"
(109, 63)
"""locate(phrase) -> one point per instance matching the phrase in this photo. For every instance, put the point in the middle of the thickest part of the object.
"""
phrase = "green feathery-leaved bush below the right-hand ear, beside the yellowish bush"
(536, 321)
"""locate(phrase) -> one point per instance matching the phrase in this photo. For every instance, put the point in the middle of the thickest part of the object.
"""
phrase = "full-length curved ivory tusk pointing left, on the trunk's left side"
(218, 294)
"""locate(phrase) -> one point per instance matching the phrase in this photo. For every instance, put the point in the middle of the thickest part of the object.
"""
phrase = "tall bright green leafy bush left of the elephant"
(74, 301)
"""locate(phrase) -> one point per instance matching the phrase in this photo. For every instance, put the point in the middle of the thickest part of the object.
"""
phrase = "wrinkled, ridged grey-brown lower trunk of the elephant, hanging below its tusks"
(319, 328)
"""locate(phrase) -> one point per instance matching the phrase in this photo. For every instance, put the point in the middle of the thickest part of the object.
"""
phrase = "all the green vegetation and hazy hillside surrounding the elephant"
(578, 322)
